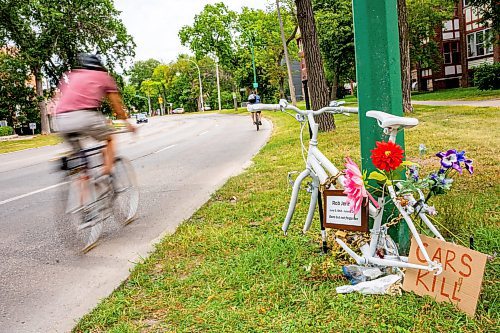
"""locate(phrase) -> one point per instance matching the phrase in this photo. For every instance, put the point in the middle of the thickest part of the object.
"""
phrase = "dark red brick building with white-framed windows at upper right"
(463, 43)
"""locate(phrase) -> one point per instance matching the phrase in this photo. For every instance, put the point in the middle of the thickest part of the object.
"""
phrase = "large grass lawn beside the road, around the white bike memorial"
(230, 269)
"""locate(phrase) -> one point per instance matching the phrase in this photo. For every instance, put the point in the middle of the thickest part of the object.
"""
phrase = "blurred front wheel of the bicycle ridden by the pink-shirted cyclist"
(125, 192)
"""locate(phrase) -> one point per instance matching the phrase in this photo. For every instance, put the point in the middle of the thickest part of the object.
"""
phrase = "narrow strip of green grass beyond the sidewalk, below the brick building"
(468, 94)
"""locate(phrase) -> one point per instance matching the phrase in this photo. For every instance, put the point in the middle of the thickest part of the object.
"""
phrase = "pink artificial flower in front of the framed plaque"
(354, 187)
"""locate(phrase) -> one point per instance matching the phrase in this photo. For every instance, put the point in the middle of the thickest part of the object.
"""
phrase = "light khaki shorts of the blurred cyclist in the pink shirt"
(84, 122)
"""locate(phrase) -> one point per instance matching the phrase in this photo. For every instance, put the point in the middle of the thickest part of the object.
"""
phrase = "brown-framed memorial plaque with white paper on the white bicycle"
(337, 214)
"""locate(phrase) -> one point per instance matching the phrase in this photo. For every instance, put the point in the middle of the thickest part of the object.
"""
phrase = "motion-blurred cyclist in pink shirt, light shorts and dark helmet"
(82, 94)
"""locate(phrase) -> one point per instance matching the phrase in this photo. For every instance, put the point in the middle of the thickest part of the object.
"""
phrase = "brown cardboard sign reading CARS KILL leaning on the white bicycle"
(461, 279)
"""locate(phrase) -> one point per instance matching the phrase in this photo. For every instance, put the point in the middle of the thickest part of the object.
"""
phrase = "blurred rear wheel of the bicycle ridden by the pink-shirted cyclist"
(80, 216)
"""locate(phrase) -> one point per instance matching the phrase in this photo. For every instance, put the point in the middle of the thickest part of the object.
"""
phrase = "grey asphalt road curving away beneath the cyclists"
(179, 160)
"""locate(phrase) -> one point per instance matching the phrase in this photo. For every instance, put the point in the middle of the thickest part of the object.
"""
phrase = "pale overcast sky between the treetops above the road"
(154, 24)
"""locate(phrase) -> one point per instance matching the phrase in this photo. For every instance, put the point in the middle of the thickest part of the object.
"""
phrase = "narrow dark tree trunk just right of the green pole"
(404, 47)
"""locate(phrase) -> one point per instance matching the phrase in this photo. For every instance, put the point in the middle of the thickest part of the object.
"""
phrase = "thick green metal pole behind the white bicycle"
(378, 73)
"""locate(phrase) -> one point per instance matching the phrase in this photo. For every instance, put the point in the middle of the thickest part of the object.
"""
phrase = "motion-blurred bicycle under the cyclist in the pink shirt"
(90, 199)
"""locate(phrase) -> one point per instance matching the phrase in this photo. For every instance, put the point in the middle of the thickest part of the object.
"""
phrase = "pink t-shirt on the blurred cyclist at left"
(84, 90)
